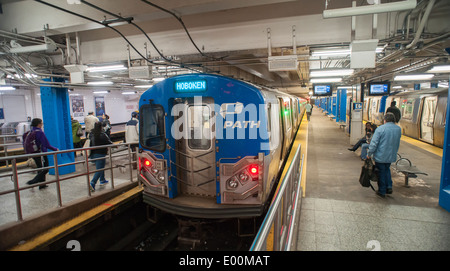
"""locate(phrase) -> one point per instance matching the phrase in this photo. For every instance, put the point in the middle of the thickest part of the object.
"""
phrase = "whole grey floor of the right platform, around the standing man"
(338, 214)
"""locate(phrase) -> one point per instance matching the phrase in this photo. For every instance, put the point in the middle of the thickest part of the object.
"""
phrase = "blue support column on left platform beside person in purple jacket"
(57, 123)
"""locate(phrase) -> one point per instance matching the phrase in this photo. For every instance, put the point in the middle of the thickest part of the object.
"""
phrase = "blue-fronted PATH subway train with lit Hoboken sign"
(212, 146)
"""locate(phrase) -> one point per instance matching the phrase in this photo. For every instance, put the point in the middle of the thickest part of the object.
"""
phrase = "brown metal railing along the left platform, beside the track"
(14, 173)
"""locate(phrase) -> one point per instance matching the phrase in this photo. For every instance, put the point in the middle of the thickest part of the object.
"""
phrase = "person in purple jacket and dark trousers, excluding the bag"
(43, 146)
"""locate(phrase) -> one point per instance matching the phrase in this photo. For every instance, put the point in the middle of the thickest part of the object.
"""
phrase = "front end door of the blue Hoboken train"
(195, 148)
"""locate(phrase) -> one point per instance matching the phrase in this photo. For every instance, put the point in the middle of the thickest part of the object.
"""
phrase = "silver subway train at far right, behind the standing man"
(423, 113)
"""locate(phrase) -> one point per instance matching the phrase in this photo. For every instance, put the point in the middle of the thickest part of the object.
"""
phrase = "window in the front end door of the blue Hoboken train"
(199, 127)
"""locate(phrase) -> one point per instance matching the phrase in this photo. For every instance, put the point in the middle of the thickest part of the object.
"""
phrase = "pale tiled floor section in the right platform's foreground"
(348, 225)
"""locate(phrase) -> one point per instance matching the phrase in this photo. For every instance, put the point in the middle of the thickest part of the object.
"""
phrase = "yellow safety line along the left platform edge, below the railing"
(77, 222)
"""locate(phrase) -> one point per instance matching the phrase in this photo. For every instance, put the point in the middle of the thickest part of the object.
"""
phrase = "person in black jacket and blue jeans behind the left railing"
(99, 138)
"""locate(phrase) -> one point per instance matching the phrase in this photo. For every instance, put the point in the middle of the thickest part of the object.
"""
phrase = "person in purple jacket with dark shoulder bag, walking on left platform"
(41, 144)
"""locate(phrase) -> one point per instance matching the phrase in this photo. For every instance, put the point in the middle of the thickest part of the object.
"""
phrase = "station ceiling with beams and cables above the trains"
(230, 37)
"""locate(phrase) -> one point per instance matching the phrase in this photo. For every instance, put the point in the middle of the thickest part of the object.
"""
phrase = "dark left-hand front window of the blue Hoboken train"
(151, 132)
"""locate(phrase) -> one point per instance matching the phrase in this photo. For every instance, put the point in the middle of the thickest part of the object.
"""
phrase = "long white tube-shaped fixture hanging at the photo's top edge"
(372, 9)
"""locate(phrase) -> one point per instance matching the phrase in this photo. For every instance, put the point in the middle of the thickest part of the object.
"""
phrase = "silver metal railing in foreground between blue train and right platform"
(282, 214)
